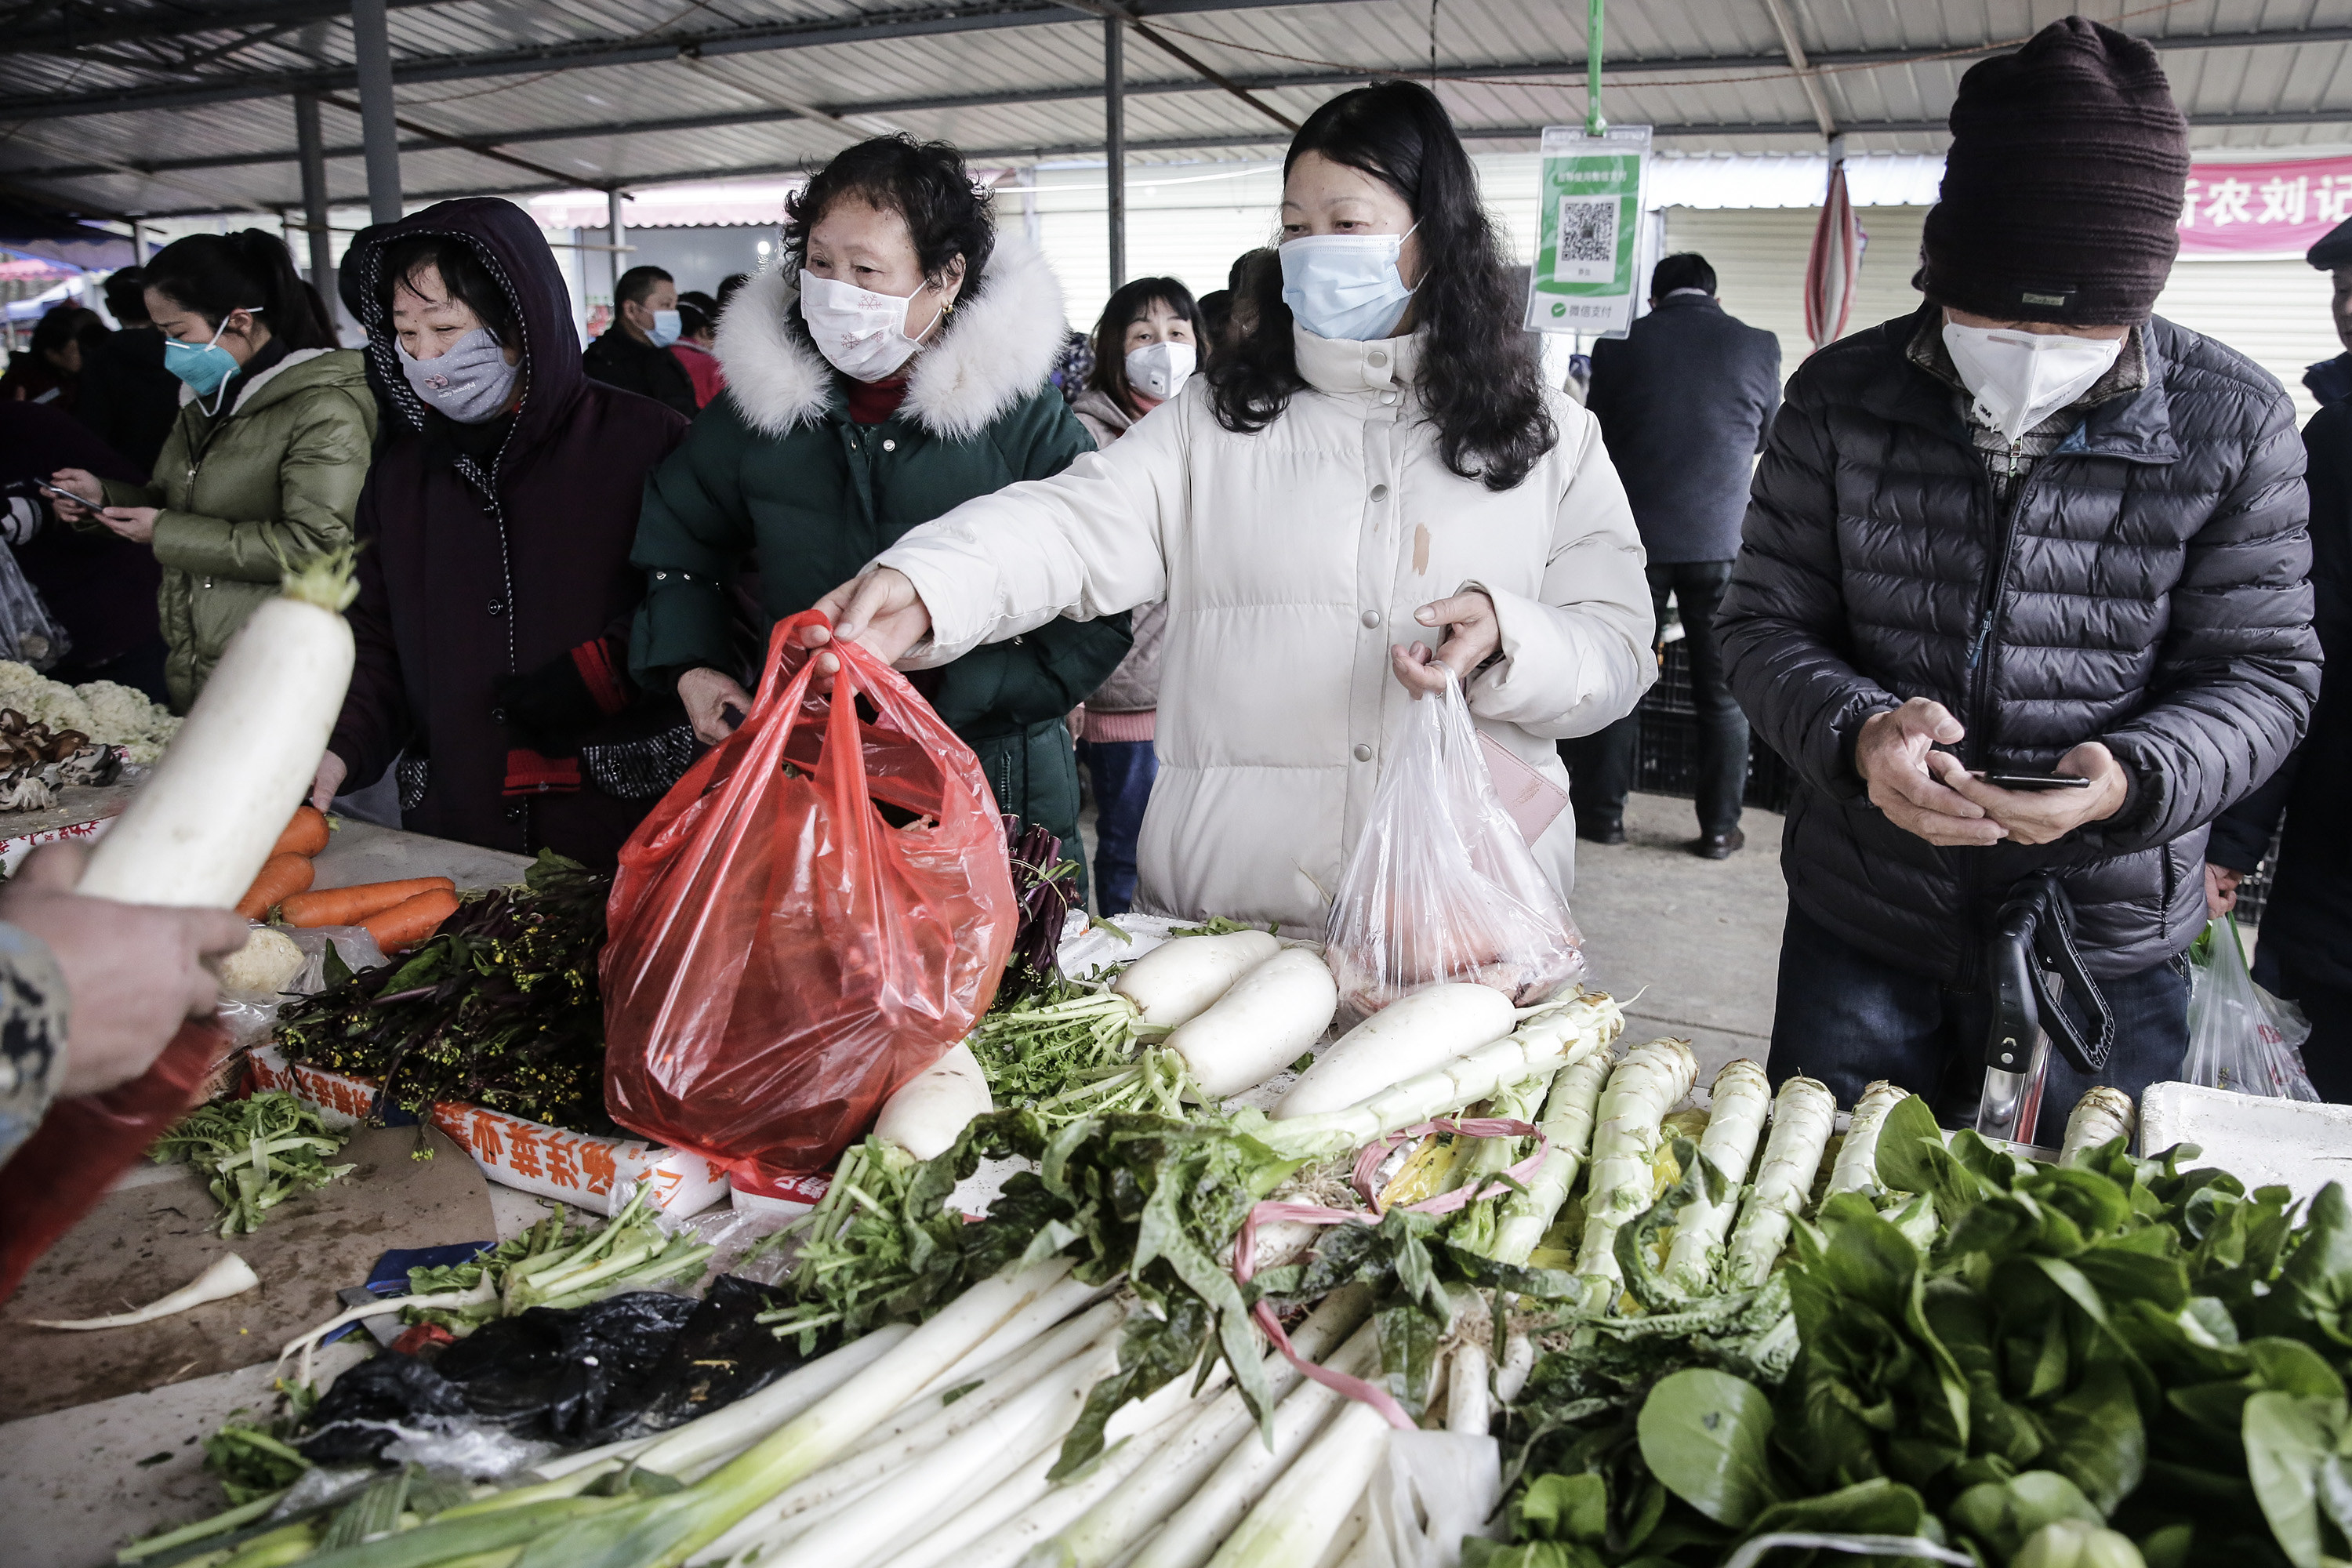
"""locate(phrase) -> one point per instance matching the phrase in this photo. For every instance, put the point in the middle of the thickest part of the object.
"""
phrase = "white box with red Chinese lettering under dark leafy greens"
(544, 1160)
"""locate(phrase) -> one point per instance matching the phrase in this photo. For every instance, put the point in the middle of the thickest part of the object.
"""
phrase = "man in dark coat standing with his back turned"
(1685, 406)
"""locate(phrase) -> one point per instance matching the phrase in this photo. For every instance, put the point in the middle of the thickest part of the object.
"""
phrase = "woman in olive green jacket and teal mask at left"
(267, 460)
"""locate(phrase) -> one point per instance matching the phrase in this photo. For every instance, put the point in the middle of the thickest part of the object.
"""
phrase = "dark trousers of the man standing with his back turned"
(1603, 765)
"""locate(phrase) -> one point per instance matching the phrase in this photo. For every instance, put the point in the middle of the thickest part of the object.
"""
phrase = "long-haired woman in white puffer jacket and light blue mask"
(1372, 483)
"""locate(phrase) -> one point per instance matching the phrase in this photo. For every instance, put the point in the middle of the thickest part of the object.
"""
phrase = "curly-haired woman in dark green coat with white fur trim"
(888, 370)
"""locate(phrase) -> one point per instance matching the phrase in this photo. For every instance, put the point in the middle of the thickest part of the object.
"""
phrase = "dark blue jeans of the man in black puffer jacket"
(1847, 1019)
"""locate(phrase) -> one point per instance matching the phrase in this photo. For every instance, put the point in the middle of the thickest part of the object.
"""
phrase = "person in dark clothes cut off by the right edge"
(2306, 951)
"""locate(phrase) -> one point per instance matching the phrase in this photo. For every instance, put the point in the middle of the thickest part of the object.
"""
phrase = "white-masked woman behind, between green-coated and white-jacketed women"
(1147, 347)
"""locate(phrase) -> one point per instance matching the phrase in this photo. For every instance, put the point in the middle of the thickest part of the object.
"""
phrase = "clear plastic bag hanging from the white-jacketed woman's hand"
(1443, 887)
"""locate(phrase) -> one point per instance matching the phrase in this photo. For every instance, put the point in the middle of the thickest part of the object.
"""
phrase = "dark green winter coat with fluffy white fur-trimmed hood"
(775, 478)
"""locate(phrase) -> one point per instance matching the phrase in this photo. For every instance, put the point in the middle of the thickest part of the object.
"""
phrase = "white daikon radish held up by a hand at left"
(199, 831)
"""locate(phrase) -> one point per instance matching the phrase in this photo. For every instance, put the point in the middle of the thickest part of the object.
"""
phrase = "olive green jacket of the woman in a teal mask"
(269, 483)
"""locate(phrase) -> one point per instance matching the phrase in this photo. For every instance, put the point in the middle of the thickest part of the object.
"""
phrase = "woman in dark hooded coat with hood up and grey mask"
(495, 532)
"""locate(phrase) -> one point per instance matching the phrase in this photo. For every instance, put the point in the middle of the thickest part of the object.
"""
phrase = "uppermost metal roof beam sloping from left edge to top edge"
(573, 55)
